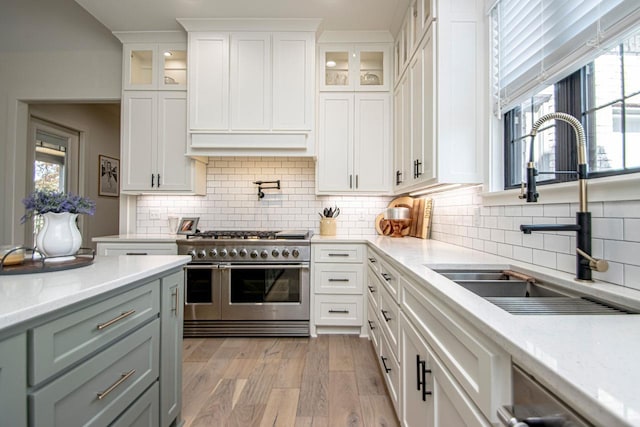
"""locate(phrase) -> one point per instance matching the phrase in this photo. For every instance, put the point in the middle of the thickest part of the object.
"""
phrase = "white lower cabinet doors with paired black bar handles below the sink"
(431, 396)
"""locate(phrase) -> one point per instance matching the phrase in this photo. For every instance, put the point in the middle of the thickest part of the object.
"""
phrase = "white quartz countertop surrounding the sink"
(590, 361)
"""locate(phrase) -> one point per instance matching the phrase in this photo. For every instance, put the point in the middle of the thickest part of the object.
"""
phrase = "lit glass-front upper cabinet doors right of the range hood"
(360, 67)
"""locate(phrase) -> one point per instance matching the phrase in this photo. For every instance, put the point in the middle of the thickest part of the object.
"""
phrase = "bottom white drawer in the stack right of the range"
(339, 310)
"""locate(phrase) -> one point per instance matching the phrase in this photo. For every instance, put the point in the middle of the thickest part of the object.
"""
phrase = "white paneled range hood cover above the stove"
(251, 87)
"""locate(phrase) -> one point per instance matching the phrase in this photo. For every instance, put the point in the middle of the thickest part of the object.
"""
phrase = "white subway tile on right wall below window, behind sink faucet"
(495, 229)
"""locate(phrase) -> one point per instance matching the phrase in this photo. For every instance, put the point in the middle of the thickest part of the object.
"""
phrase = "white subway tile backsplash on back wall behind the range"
(232, 200)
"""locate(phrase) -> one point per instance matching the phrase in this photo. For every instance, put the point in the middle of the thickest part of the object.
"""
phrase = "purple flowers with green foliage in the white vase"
(42, 201)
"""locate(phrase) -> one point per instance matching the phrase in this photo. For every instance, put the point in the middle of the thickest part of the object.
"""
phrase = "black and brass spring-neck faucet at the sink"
(584, 261)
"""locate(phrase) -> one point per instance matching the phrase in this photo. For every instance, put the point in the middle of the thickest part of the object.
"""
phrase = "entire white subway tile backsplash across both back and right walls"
(458, 216)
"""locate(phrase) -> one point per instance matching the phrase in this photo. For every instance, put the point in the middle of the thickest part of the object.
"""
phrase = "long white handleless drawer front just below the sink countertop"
(479, 366)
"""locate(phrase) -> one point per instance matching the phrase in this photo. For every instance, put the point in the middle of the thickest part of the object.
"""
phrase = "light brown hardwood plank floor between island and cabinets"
(329, 381)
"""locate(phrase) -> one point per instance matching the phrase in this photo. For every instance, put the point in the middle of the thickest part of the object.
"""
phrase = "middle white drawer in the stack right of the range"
(338, 279)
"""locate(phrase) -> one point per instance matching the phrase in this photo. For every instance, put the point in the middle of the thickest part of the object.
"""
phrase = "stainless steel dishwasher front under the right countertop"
(534, 405)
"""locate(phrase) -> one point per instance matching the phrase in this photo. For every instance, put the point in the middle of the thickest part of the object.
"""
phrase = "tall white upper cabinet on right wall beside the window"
(438, 95)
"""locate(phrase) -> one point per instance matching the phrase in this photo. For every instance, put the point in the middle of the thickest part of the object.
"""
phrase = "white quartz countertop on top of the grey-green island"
(27, 296)
